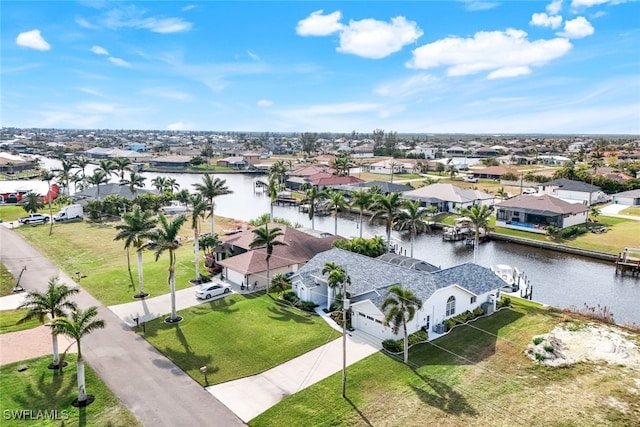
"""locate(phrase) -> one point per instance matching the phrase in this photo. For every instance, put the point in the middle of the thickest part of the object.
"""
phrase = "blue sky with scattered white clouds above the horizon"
(569, 66)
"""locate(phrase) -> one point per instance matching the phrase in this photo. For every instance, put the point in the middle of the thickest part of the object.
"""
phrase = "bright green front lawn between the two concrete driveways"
(237, 336)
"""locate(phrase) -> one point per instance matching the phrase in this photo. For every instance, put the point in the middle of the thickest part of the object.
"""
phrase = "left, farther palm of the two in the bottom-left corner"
(53, 302)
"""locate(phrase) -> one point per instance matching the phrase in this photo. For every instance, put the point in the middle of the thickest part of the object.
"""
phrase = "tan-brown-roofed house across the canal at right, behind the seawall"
(535, 212)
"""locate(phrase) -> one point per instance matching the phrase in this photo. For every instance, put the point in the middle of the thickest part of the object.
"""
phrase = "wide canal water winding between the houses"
(558, 279)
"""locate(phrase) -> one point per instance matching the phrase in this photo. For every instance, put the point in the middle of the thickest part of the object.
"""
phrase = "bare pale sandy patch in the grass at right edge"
(591, 342)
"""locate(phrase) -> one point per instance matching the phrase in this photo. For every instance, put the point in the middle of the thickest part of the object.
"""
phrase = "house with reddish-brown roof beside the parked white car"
(243, 265)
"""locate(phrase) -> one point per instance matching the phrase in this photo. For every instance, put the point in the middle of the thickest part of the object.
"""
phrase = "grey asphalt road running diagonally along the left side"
(150, 385)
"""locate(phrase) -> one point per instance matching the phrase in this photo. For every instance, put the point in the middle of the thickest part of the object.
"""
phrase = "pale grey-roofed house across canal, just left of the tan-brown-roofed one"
(448, 197)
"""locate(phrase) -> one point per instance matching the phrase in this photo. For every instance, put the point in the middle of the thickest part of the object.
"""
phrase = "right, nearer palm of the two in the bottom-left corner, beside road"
(80, 324)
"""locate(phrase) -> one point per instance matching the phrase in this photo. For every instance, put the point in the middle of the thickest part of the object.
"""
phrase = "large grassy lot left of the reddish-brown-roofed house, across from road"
(90, 248)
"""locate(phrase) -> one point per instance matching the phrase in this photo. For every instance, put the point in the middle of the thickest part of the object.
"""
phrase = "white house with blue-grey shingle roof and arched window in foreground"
(444, 293)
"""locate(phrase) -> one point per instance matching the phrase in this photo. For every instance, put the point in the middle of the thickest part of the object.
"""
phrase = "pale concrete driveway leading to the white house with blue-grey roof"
(251, 396)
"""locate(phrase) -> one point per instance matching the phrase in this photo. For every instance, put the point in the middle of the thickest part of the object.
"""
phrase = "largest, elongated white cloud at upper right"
(502, 53)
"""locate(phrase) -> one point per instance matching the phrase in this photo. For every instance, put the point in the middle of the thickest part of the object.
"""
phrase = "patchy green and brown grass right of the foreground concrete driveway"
(476, 376)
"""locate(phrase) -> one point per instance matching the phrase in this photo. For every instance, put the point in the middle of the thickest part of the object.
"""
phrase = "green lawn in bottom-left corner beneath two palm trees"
(39, 390)
